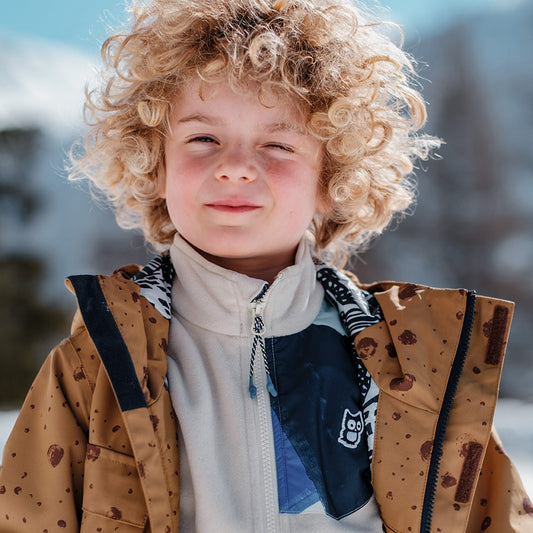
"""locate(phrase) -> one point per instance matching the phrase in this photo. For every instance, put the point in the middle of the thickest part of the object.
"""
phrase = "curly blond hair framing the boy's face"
(354, 83)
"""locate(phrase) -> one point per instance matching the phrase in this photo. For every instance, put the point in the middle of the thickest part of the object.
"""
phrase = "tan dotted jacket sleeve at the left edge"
(41, 478)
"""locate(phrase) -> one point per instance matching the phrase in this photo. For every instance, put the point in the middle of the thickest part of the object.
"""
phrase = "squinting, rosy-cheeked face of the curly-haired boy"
(241, 178)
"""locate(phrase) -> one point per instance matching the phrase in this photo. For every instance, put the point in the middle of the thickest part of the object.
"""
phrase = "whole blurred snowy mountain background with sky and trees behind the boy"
(473, 222)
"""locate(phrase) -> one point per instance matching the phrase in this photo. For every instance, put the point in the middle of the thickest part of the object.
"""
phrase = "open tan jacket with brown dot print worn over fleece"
(95, 446)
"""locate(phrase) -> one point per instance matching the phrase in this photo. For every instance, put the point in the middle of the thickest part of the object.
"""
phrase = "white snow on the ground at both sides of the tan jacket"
(513, 420)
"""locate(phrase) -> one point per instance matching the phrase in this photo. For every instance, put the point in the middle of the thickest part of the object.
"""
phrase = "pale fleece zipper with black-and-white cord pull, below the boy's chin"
(261, 394)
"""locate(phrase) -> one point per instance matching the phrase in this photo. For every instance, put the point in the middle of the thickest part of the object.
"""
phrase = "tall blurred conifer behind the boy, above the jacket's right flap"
(470, 207)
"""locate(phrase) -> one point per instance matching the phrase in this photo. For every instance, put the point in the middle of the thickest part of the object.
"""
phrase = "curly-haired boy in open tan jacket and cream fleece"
(237, 383)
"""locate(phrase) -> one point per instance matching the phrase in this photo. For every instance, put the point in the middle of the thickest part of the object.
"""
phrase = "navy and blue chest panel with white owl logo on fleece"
(321, 447)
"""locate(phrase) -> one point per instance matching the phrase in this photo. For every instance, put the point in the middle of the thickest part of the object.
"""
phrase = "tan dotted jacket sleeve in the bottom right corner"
(500, 501)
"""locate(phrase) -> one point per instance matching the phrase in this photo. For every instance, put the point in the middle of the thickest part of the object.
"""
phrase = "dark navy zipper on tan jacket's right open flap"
(444, 415)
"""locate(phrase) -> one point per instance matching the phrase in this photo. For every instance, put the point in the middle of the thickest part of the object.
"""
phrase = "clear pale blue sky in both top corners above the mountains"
(83, 24)
